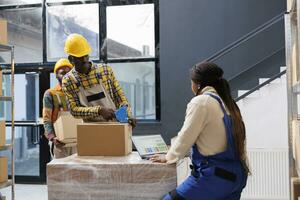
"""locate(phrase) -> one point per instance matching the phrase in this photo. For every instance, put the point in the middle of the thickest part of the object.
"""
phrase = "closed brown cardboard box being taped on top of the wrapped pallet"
(104, 139)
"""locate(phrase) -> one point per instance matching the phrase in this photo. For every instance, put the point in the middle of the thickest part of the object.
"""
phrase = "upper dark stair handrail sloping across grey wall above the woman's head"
(245, 38)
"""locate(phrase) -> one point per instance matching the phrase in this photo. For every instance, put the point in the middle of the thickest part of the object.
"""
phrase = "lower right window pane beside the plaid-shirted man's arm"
(138, 82)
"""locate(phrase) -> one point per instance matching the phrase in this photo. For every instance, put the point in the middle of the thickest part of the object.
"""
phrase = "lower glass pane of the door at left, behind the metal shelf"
(26, 149)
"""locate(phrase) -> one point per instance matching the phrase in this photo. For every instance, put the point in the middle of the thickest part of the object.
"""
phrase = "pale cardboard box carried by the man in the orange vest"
(66, 127)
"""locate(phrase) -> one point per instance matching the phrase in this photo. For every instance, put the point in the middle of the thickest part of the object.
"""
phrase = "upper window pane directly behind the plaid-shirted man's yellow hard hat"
(64, 20)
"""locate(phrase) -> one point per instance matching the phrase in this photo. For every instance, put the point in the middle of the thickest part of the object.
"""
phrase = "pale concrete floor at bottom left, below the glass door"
(26, 192)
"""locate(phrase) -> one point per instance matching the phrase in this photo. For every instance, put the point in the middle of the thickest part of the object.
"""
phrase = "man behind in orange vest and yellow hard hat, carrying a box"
(55, 101)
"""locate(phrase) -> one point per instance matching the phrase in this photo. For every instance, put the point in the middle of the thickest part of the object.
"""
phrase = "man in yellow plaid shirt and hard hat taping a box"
(92, 89)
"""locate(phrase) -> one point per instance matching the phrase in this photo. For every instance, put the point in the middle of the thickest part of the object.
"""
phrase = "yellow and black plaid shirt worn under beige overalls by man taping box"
(71, 89)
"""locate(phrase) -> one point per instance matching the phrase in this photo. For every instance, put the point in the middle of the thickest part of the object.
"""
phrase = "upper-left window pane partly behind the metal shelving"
(25, 33)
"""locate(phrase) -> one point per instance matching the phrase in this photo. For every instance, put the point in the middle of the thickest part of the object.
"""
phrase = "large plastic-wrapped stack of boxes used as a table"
(119, 178)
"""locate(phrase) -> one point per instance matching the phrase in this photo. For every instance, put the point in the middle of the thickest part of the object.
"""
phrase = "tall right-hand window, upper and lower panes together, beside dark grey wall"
(131, 53)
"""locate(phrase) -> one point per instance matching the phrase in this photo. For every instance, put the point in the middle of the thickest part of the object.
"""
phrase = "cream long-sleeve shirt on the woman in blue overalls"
(203, 125)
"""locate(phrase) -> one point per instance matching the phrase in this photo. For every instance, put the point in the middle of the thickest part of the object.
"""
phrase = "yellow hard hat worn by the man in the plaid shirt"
(76, 45)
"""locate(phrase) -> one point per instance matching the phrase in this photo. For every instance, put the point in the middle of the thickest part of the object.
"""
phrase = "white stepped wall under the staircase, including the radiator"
(265, 115)
